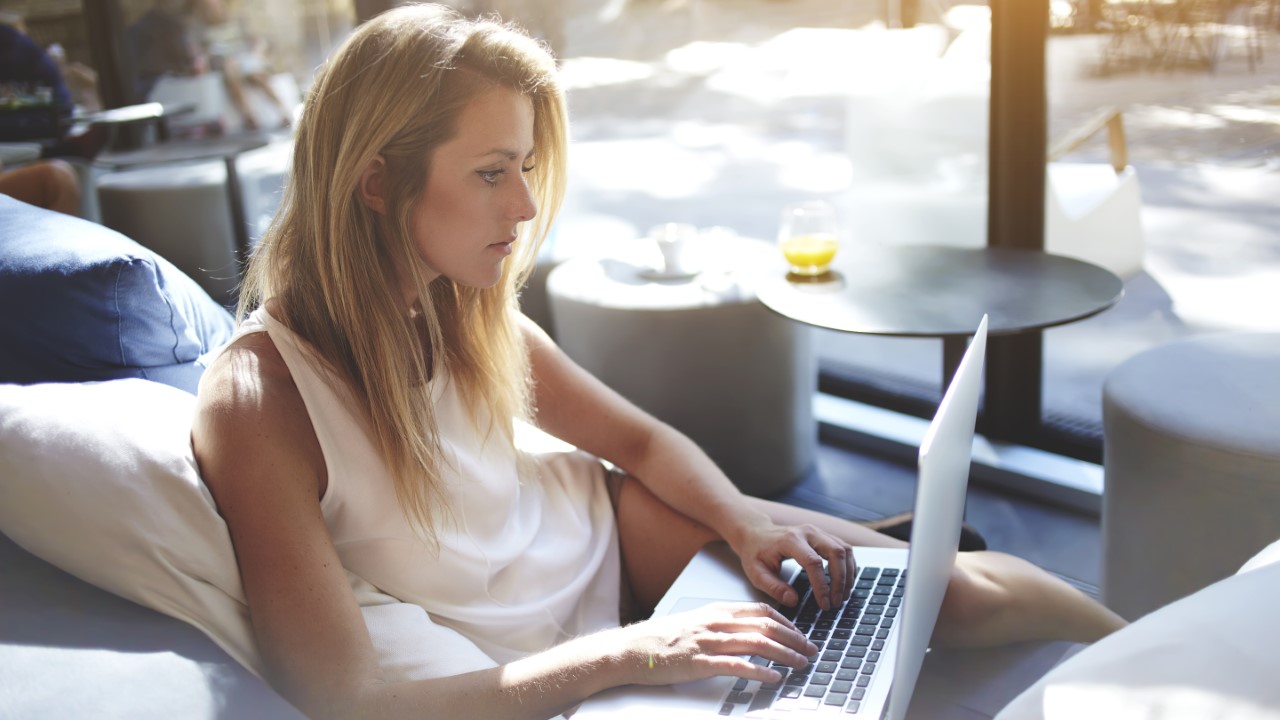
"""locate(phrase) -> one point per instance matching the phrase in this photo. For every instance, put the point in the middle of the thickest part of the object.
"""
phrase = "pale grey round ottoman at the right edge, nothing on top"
(1192, 463)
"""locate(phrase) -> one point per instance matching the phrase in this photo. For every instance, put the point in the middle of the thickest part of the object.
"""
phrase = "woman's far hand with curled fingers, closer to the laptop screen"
(764, 546)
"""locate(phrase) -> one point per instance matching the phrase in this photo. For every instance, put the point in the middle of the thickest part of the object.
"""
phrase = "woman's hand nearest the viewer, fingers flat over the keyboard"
(711, 641)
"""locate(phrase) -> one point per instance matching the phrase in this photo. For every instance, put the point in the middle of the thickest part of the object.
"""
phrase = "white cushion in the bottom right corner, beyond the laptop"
(1210, 655)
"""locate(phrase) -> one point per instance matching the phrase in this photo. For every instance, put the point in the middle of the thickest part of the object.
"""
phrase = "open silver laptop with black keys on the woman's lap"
(871, 651)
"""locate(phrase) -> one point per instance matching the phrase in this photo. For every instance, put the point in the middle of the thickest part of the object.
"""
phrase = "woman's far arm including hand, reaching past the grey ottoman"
(582, 411)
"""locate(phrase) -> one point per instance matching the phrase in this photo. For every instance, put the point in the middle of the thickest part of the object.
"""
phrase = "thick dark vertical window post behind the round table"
(1016, 209)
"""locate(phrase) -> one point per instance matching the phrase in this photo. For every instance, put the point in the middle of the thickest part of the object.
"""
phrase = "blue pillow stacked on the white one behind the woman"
(80, 302)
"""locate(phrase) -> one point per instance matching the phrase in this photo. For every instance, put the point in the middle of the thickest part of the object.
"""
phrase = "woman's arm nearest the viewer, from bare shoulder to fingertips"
(262, 462)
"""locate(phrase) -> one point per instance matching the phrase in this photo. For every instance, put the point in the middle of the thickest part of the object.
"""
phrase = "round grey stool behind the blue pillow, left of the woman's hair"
(182, 213)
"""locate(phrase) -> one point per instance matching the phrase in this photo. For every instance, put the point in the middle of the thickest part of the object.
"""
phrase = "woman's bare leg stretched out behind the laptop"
(994, 599)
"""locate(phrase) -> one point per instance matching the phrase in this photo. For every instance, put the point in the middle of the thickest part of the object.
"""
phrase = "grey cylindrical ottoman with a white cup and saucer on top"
(702, 354)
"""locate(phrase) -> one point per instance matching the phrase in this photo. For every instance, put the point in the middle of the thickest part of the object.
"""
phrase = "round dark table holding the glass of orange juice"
(932, 291)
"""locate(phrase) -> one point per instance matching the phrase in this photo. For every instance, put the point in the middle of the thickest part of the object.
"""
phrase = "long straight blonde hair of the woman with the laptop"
(396, 89)
